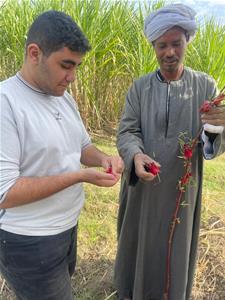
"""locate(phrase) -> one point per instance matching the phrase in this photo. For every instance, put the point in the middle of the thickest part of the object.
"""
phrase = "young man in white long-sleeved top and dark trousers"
(43, 142)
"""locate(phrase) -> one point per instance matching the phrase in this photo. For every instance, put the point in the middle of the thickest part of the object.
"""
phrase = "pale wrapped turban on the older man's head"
(163, 19)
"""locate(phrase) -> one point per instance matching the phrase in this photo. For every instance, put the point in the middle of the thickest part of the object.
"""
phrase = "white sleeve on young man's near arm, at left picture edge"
(10, 149)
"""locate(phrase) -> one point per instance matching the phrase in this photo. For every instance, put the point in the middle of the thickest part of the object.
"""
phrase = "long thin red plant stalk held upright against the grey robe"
(206, 106)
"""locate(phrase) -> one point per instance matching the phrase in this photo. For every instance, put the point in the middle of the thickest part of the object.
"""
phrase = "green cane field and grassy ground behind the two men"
(120, 53)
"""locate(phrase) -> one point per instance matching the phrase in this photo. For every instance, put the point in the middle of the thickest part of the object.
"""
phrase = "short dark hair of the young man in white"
(54, 30)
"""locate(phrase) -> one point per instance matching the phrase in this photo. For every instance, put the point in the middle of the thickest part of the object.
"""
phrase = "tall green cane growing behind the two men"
(119, 53)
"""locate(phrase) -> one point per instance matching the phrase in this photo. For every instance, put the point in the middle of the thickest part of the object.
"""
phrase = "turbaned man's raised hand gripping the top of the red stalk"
(216, 116)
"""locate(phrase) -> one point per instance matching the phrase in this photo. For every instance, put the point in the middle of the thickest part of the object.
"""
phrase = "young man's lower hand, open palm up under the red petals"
(91, 175)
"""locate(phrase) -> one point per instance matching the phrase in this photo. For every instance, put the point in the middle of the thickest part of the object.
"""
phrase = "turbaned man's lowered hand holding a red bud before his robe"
(140, 160)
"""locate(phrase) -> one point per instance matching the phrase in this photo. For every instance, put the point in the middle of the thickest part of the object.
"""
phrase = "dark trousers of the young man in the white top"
(39, 267)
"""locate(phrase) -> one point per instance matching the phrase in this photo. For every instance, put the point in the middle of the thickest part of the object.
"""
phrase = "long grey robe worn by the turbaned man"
(155, 114)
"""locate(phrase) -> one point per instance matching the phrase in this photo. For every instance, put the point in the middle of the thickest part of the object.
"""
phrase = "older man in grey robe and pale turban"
(160, 106)
